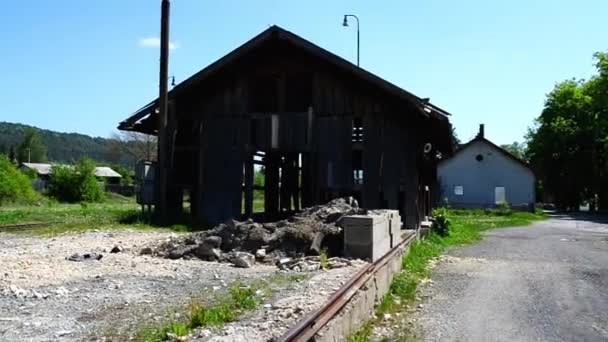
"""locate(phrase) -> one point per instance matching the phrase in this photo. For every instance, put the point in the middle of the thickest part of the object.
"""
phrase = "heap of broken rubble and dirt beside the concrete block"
(307, 233)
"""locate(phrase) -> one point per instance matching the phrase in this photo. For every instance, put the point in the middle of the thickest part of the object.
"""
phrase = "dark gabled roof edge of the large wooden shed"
(278, 33)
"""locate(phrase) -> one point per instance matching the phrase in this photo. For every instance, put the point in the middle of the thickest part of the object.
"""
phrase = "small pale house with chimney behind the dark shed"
(481, 174)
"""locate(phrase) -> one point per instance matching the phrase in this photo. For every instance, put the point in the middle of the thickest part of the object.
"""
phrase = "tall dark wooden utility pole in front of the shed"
(162, 174)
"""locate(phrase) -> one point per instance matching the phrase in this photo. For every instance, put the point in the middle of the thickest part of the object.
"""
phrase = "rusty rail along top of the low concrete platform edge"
(306, 328)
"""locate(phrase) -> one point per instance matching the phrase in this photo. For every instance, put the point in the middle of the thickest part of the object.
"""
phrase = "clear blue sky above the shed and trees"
(83, 66)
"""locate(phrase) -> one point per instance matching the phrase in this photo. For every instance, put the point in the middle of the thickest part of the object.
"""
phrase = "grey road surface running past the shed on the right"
(546, 282)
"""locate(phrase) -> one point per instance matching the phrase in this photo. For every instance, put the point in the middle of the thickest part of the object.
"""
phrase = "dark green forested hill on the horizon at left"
(61, 147)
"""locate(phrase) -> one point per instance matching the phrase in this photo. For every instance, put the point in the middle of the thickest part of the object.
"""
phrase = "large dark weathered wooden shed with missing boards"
(320, 126)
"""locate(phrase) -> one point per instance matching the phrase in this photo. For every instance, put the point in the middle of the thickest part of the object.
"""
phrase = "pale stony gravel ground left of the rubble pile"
(44, 297)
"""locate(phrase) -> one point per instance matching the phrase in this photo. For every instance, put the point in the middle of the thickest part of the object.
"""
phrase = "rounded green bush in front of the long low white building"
(75, 184)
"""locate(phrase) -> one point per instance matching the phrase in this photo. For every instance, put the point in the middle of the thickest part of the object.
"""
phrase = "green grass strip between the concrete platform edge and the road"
(466, 227)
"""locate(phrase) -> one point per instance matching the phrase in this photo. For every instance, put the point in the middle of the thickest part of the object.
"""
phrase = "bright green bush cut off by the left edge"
(14, 185)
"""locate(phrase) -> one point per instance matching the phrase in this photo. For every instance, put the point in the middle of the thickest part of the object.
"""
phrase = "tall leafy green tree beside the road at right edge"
(568, 147)
